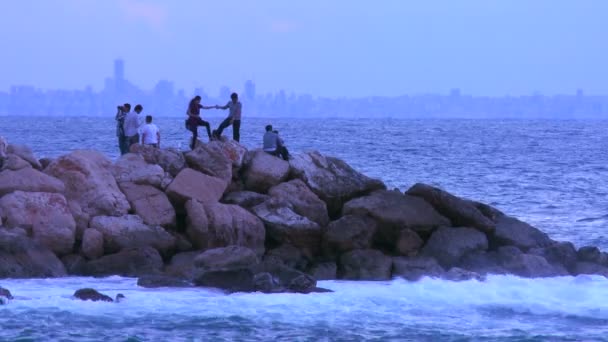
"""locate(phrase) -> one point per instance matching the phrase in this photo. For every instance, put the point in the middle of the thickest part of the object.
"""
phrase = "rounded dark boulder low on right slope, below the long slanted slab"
(448, 245)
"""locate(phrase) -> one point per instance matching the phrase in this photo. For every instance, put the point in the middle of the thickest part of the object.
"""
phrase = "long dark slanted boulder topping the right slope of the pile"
(461, 212)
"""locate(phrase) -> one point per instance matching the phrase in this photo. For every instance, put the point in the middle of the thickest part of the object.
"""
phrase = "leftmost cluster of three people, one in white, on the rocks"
(130, 130)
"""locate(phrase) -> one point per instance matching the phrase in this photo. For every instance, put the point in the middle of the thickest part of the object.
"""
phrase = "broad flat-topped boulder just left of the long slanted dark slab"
(394, 211)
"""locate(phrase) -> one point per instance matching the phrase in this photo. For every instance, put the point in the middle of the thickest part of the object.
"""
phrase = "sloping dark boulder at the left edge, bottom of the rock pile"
(22, 257)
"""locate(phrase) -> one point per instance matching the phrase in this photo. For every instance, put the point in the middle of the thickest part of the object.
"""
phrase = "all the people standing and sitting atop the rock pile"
(130, 130)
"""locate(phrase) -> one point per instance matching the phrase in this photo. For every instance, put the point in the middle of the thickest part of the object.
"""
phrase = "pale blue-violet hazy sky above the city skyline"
(322, 47)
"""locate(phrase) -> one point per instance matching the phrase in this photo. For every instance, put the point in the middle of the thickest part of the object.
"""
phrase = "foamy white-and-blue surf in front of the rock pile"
(501, 306)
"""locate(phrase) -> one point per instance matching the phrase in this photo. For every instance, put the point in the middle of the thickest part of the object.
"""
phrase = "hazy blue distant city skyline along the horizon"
(165, 100)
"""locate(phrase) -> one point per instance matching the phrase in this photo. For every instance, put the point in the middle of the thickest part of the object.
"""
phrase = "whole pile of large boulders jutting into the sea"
(222, 216)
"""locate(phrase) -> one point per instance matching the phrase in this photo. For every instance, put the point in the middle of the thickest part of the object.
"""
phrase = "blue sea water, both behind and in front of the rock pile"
(551, 174)
